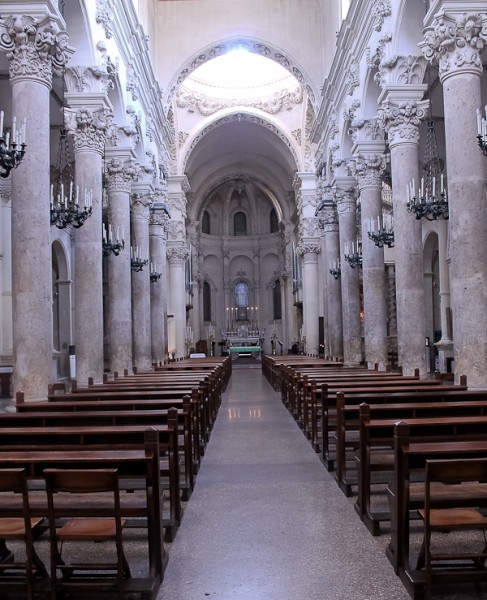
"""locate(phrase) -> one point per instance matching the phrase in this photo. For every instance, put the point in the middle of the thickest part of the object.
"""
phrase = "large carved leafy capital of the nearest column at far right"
(456, 42)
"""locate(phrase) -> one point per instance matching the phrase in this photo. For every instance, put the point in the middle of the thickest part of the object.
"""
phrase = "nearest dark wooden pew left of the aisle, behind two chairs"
(141, 464)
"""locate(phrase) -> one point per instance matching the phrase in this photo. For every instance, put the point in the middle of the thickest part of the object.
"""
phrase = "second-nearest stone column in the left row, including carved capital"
(87, 125)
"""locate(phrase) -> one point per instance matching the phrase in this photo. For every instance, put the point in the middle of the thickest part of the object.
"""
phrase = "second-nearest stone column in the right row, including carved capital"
(401, 120)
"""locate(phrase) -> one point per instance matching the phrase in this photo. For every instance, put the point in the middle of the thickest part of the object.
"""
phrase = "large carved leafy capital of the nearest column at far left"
(35, 50)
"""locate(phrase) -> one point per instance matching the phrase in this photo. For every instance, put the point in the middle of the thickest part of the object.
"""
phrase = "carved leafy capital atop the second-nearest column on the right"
(402, 120)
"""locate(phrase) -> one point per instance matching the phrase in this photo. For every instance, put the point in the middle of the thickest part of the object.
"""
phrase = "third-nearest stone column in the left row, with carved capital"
(120, 172)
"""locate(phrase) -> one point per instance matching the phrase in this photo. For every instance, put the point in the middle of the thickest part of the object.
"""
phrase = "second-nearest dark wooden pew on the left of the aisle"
(120, 437)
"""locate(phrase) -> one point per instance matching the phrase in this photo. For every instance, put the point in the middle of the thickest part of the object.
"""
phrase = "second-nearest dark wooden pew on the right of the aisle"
(375, 452)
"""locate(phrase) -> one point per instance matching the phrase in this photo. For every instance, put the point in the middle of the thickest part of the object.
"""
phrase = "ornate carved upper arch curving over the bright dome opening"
(251, 45)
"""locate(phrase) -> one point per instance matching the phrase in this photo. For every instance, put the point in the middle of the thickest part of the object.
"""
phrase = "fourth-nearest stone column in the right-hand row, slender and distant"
(345, 197)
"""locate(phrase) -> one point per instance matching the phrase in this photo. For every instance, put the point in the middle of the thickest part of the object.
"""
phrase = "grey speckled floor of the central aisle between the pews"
(266, 520)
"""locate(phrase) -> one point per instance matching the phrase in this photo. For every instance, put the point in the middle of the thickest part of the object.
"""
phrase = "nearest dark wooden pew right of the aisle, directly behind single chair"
(405, 496)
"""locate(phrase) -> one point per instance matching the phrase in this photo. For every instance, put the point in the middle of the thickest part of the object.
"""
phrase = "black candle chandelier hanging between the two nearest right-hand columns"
(429, 200)
